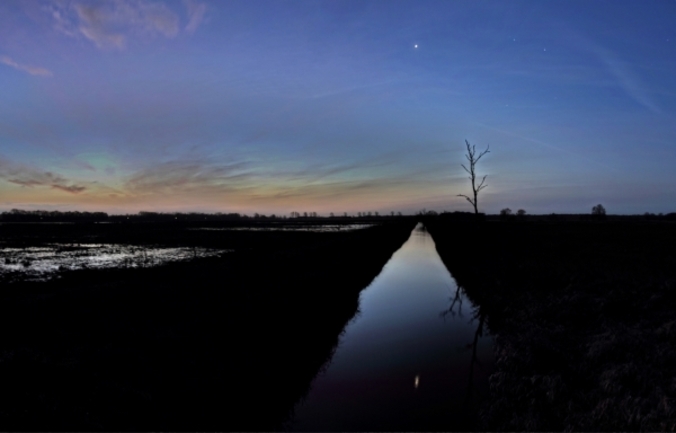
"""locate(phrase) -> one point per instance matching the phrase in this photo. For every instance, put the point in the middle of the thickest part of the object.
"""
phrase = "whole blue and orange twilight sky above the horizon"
(332, 106)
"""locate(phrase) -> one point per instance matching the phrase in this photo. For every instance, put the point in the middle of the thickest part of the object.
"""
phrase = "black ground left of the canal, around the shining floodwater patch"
(221, 343)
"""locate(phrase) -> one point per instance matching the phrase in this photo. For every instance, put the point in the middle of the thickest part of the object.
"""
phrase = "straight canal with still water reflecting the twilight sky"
(415, 357)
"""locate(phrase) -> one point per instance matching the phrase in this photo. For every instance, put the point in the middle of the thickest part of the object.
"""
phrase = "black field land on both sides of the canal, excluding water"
(583, 314)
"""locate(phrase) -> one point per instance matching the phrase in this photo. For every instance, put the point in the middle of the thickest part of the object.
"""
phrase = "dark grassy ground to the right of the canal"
(584, 317)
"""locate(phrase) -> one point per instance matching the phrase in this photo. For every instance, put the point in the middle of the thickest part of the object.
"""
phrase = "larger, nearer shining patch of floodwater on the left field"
(41, 263)
